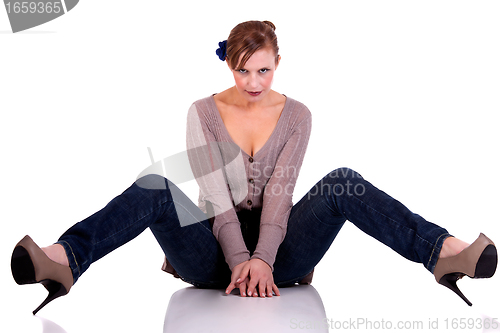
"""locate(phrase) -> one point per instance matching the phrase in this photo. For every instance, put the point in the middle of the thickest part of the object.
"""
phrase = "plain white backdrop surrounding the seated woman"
(404, 92)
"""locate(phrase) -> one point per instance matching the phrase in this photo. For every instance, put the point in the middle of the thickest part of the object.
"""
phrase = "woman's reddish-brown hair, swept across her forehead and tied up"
(248, 37)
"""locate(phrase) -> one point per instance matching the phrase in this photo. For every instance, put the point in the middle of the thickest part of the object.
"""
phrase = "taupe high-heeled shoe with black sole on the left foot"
(30, 264)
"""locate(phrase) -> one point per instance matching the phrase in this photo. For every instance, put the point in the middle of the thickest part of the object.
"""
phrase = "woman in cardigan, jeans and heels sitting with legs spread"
(245, 147)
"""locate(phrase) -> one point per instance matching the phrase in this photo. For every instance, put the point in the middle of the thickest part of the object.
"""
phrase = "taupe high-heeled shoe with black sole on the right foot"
(479, 260)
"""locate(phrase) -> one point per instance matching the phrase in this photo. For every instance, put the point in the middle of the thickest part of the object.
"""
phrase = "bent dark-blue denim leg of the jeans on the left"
(191, 248)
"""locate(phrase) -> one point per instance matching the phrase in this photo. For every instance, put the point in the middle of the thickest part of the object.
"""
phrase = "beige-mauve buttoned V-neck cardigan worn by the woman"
(231, 180)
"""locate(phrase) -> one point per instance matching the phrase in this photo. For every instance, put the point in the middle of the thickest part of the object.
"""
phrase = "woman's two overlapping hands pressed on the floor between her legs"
(249, 274)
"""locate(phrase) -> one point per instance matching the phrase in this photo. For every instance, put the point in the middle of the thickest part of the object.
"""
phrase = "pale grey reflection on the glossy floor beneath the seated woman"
(202, 310)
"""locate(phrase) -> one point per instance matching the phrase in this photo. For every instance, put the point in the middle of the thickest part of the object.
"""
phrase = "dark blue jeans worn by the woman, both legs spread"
(313, 224)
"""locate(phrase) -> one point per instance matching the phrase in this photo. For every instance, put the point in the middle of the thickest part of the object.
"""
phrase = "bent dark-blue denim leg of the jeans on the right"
(344, 195)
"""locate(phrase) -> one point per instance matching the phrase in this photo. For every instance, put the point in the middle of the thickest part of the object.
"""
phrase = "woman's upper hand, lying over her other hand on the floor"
(260, 274)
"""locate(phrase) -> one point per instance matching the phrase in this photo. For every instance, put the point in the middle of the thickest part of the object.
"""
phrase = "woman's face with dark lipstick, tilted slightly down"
(255, 79)
